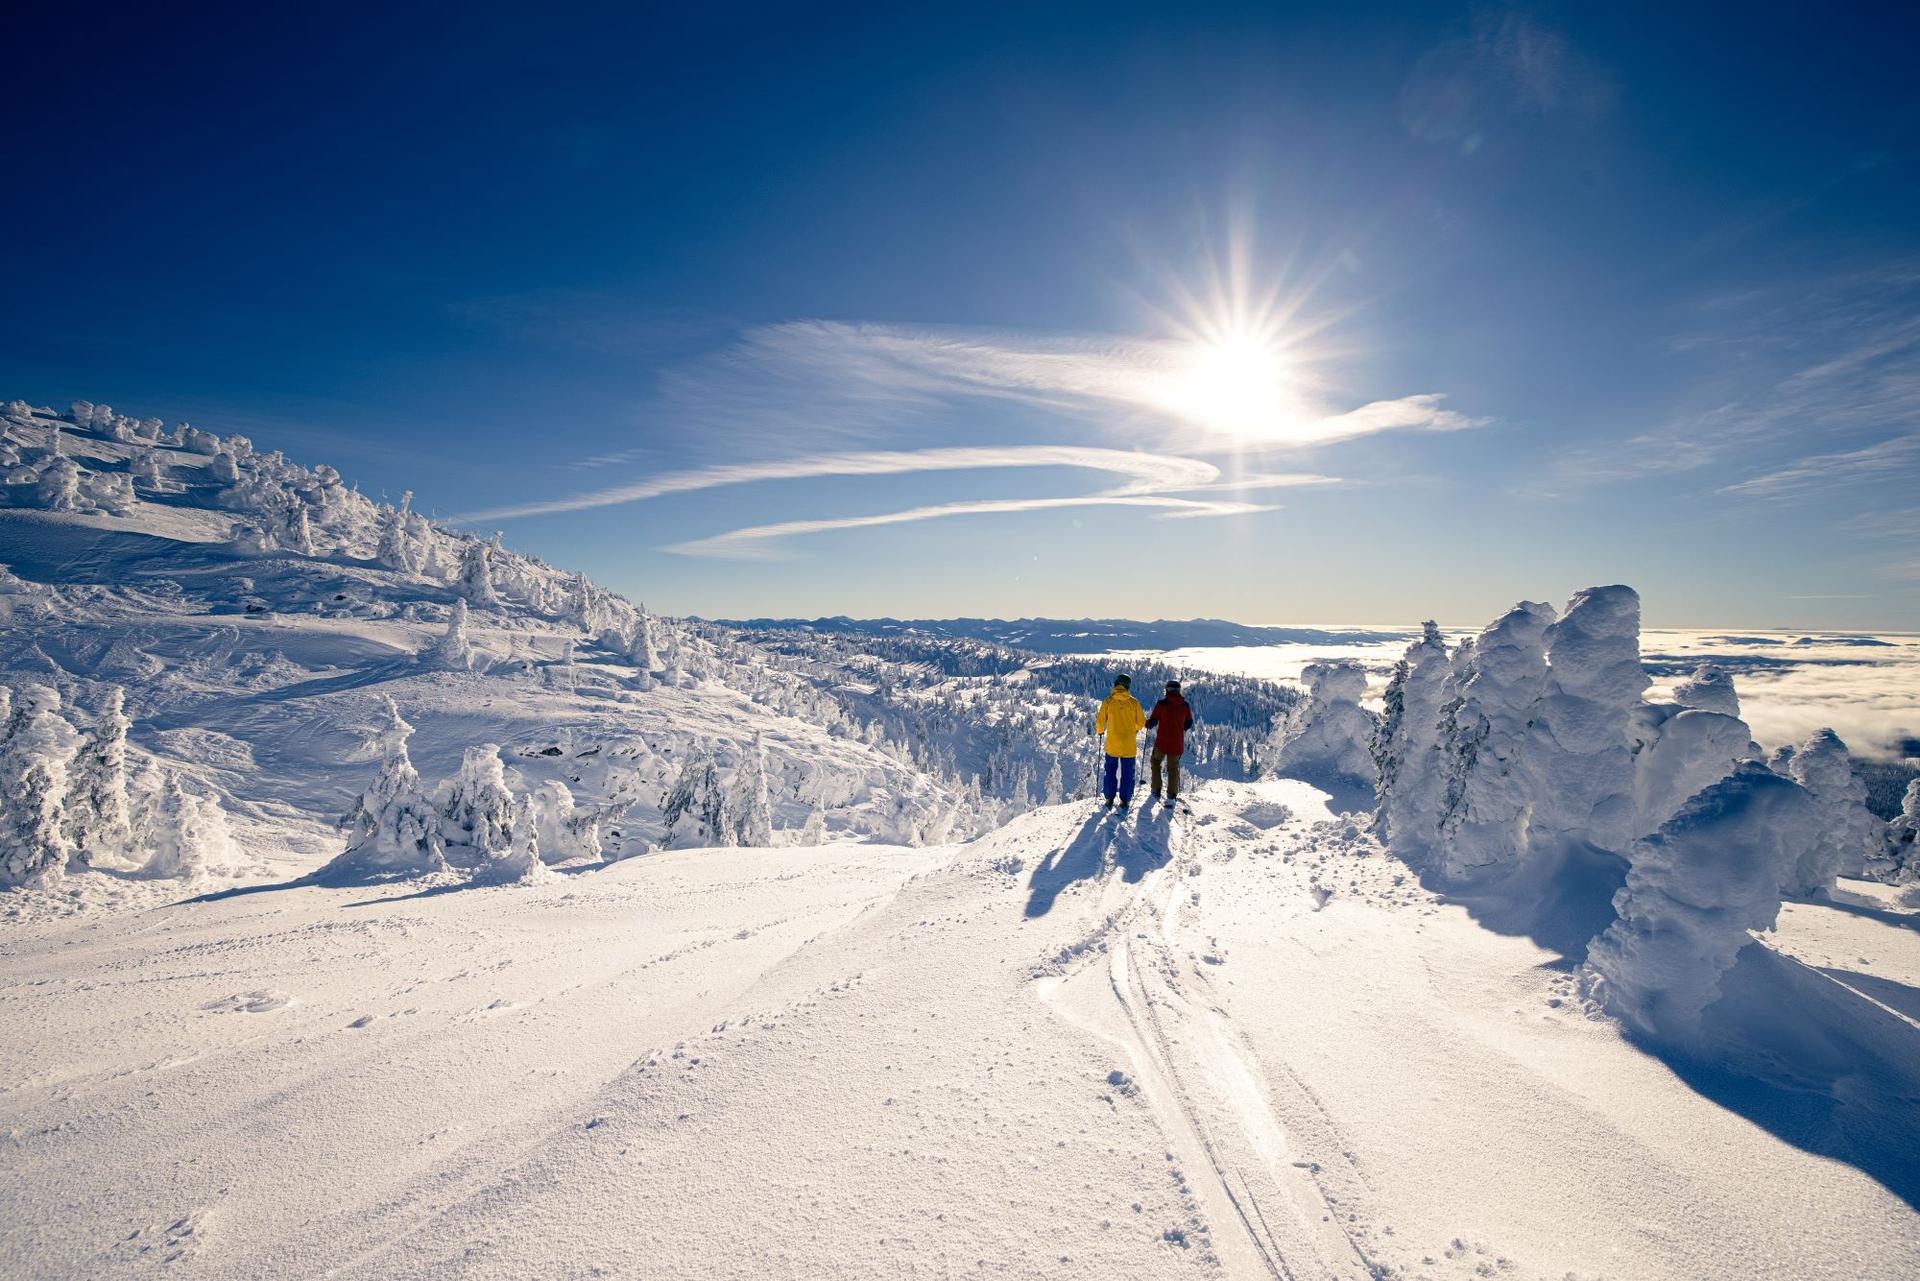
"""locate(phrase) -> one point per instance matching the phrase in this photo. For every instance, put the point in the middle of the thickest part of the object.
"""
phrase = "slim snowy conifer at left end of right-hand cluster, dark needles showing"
(1406, 750)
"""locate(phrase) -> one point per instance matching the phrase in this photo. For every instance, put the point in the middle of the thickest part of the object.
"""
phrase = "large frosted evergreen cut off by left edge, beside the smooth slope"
(34, 788)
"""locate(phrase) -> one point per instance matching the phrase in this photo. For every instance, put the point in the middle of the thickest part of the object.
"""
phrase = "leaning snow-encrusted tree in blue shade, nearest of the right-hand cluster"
(1692, 894)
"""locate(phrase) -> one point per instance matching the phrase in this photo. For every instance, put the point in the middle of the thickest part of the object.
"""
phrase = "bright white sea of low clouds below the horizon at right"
(1865, 687)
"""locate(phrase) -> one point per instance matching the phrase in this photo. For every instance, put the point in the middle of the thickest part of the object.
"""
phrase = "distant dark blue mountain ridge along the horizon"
(1078, 635)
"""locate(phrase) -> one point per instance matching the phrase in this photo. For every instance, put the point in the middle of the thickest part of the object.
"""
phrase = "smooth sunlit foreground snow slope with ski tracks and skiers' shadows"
(1230, 1042)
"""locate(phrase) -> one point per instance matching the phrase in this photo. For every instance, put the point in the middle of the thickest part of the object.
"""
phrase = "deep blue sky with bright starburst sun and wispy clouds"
(1257, 312)
